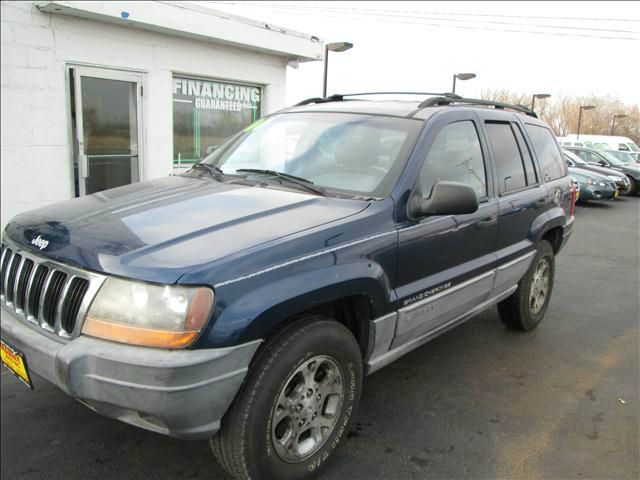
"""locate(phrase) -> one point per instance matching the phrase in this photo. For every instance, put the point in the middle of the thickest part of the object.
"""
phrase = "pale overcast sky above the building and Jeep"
(583, 47)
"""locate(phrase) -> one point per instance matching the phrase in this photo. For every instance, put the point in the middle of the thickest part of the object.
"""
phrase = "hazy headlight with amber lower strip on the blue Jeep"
(167, 316)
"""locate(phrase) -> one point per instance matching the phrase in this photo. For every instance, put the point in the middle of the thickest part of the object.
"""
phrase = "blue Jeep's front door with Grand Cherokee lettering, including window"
(445, 261)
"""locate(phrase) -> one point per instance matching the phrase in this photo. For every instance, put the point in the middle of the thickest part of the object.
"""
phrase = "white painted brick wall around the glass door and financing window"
(36, 163)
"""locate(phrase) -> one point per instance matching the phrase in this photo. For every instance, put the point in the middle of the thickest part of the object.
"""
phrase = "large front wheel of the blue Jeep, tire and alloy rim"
(255, 429)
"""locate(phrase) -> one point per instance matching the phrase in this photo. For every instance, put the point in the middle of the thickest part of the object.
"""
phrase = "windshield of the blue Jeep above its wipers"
(354, 154)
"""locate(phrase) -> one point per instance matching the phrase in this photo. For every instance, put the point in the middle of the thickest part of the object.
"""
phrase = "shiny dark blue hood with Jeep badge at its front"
(159, 230)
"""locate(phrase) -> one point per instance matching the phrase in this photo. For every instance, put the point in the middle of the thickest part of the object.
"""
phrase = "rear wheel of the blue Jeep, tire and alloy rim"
(521, 310)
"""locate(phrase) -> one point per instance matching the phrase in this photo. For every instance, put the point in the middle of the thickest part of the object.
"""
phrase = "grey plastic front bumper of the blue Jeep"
(181, 393)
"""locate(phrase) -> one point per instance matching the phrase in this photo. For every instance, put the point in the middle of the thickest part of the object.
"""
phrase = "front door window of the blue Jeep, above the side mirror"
(455, 156)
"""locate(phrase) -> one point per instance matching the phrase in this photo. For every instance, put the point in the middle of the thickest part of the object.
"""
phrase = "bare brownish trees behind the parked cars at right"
(562, 112)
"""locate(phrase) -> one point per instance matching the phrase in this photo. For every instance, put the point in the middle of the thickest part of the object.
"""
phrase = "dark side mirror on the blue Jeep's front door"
(447, 198)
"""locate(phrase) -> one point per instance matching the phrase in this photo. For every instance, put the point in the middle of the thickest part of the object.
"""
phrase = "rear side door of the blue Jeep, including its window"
(522, 196)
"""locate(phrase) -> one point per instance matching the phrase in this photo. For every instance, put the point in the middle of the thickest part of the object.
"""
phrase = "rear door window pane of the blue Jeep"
(507, 155)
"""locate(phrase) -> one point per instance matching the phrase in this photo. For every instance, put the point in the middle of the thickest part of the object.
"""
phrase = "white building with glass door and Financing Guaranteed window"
(101, 94)
